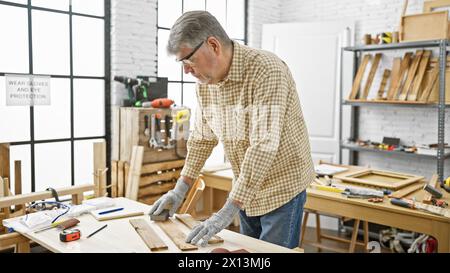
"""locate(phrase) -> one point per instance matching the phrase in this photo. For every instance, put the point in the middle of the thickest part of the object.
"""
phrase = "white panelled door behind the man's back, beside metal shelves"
(313, 53)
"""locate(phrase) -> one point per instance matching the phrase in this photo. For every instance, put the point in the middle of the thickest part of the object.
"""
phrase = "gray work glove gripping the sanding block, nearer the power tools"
(171, 200)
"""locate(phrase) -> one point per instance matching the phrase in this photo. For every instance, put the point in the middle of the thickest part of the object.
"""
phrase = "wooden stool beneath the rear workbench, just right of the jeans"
(319, 236)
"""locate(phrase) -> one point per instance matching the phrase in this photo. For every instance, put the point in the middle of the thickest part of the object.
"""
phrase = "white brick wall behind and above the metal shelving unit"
(411, 125)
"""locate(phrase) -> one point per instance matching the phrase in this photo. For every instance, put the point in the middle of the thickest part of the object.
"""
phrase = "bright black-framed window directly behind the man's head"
(232, 16)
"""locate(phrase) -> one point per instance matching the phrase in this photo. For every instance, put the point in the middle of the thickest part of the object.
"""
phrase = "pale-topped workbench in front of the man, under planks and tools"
(120, 236)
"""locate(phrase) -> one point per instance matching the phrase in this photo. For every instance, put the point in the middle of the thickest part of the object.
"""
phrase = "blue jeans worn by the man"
(281, 226)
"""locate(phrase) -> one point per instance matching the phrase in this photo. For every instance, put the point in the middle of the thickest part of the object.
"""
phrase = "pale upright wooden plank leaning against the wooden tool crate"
(134, 175)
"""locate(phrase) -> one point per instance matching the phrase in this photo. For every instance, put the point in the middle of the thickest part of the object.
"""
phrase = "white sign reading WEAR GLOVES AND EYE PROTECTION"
(27, 90)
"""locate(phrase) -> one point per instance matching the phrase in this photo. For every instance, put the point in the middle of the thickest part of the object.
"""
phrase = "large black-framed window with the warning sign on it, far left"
(67, 40)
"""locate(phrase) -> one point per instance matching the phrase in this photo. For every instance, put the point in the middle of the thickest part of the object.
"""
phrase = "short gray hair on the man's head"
(192, 28)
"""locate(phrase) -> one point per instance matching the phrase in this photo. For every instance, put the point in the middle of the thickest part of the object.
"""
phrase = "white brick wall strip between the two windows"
(133, 42)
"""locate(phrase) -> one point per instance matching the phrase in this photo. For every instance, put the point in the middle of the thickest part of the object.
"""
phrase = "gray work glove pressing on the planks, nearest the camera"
(213, 225)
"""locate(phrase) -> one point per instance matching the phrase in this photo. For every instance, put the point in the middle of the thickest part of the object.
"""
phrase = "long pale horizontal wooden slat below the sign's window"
(34, 196)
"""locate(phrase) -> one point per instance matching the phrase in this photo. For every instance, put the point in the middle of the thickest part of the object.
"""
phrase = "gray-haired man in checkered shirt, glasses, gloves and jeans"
(248, 100)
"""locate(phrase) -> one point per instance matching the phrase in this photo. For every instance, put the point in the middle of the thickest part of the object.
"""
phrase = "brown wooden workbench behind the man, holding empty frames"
(334, 203)
